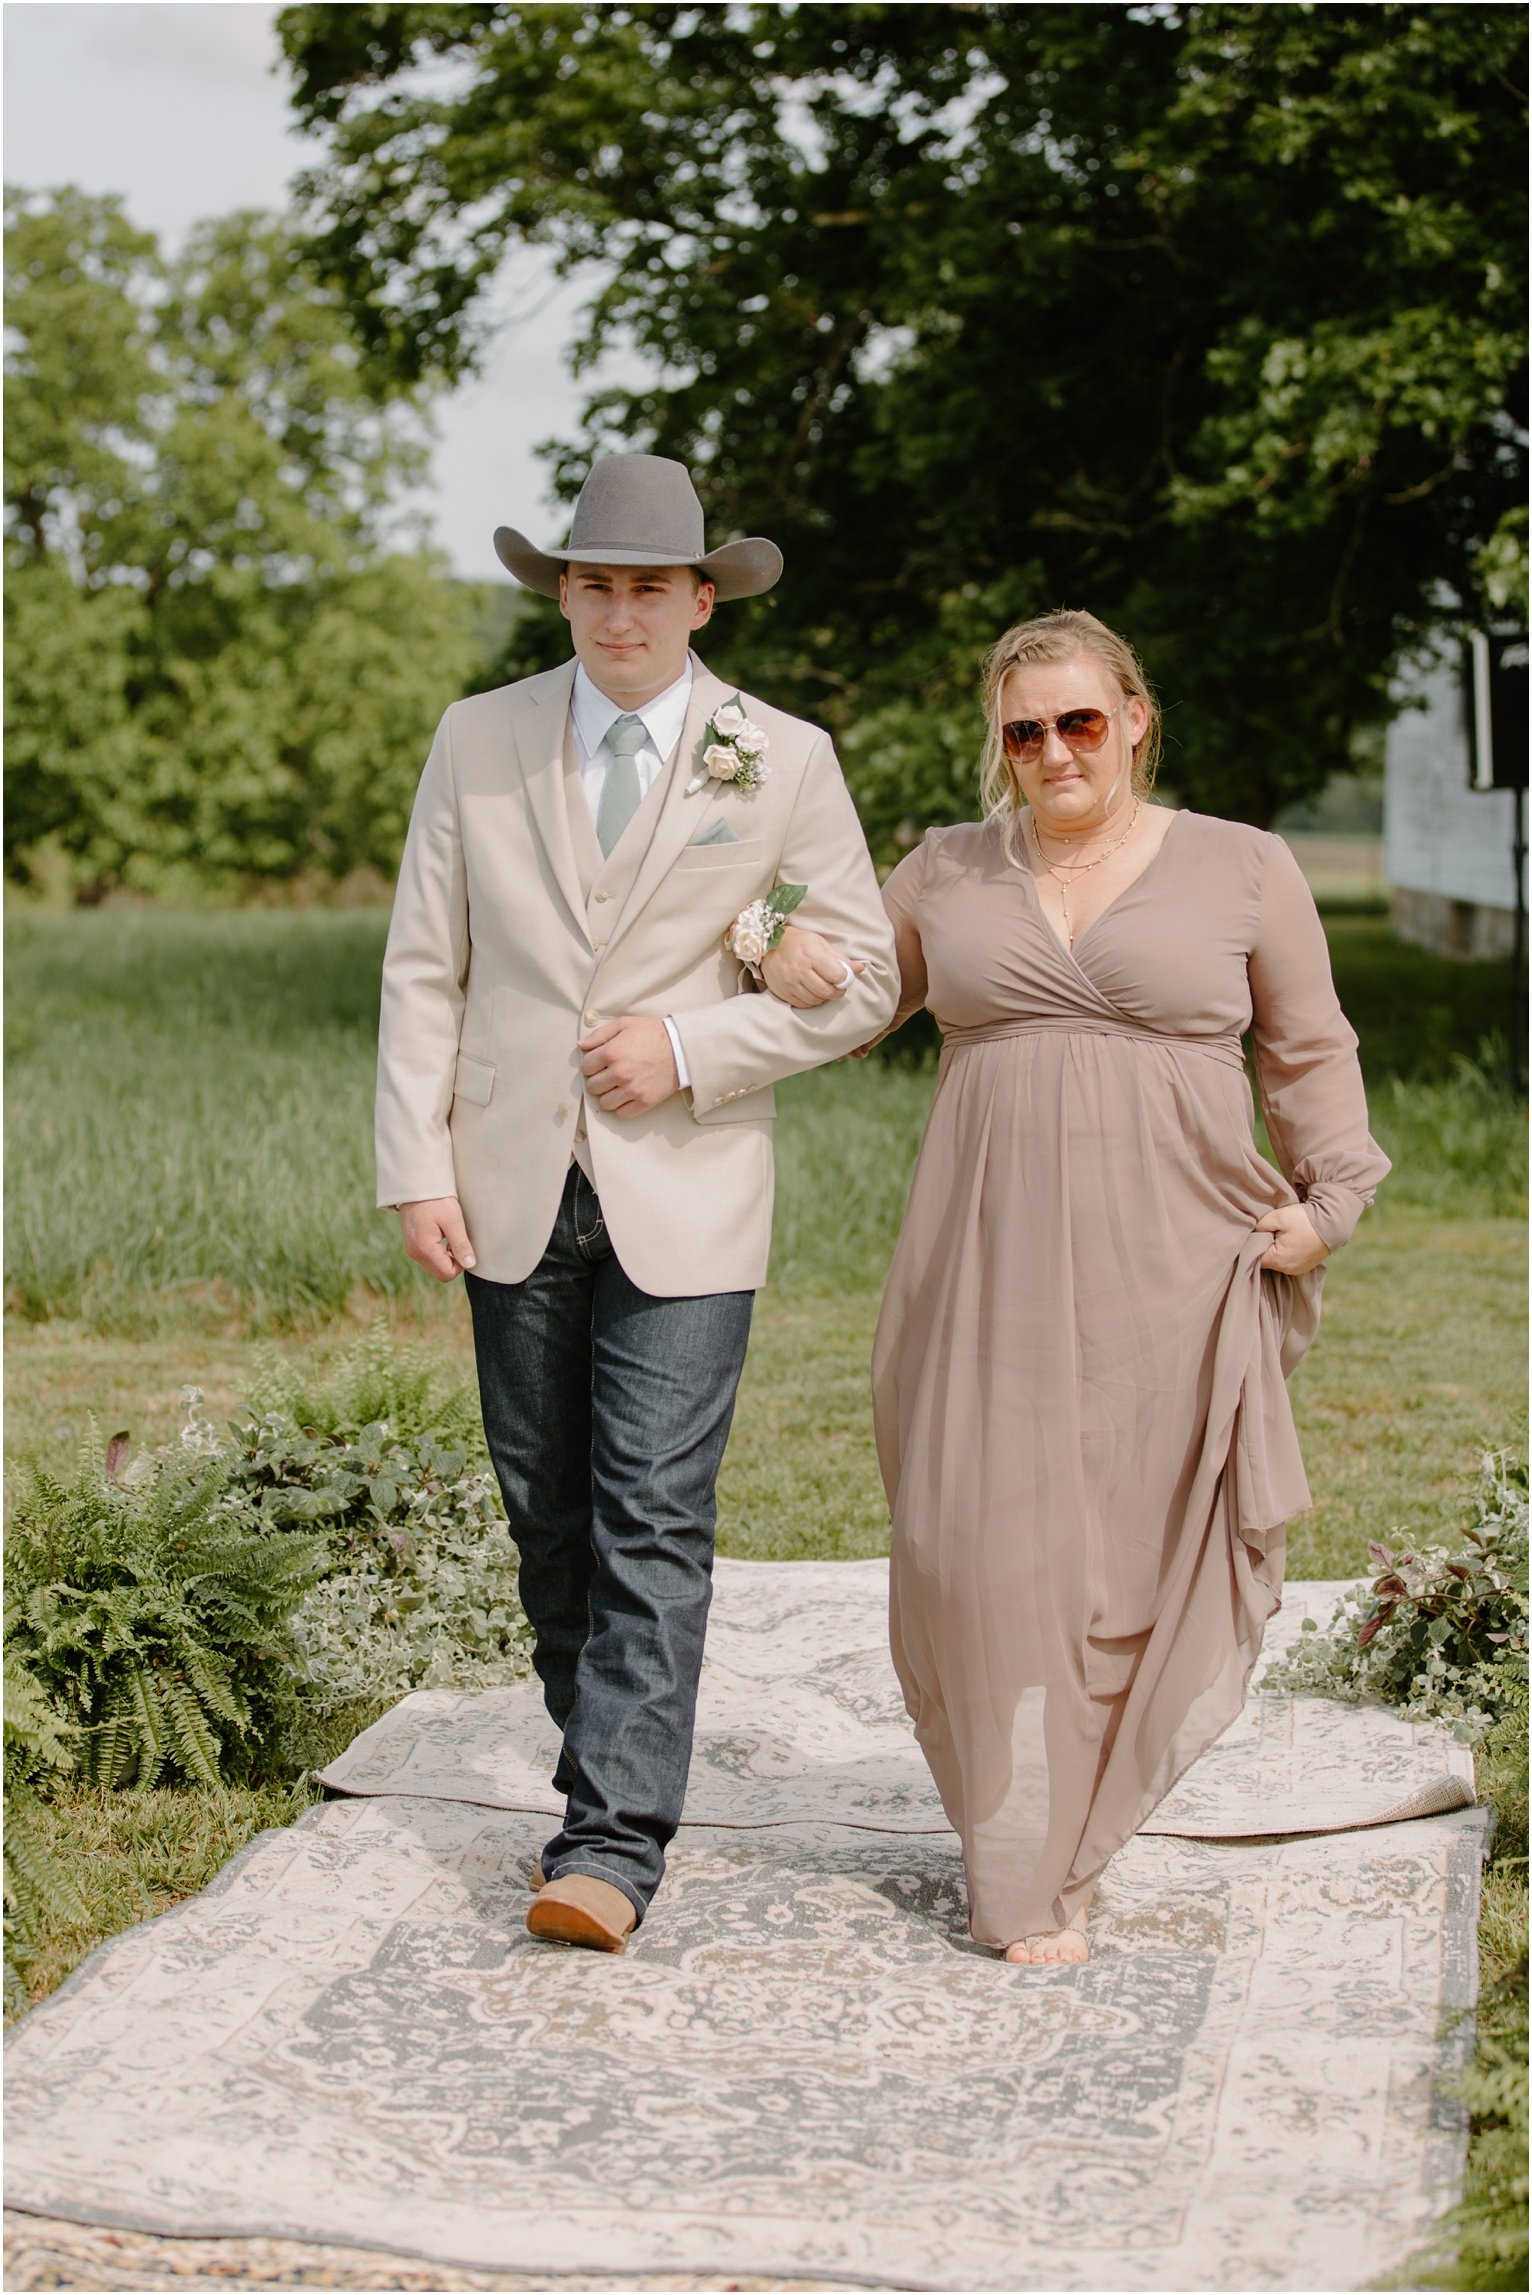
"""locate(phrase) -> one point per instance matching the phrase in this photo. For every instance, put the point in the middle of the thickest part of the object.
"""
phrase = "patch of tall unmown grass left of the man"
(191, 1121)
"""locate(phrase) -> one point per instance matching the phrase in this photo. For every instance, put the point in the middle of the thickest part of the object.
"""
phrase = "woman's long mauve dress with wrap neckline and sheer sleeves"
(1081, 1371)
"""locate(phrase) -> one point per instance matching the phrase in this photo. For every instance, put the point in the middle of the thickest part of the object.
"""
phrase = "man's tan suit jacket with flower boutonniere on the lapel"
(513, 935)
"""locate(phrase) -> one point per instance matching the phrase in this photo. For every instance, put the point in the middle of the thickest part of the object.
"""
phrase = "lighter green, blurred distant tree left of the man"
(217, 667)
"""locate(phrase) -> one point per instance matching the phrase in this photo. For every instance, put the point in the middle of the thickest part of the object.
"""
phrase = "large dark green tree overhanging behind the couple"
(1205, 318)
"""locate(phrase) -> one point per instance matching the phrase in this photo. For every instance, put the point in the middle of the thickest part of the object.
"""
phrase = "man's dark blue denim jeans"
(607, 1417)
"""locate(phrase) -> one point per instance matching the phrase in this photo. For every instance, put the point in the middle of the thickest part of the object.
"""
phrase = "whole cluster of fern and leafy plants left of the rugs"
(341, 1546)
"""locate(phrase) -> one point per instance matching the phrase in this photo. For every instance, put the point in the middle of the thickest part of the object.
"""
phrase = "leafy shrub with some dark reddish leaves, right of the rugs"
(1444, 1631)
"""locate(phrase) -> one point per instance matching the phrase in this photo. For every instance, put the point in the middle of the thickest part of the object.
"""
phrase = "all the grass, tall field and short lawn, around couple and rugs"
(189, 1201)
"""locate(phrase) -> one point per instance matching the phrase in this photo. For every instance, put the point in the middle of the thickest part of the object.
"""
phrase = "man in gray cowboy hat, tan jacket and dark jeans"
(574, 1107)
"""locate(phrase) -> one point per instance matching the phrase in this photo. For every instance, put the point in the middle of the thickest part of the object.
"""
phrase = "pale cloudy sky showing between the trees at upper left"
(180, 107)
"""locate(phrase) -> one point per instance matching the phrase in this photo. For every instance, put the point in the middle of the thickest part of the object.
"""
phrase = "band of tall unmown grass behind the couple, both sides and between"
(191, 1119)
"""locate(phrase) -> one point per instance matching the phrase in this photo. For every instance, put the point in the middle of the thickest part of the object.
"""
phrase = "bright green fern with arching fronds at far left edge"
(157, 1615)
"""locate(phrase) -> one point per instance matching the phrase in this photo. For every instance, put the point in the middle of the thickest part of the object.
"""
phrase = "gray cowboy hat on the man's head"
(641, 511)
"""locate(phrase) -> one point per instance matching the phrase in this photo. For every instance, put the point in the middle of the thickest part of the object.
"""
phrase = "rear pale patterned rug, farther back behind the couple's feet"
(802, 1718)
